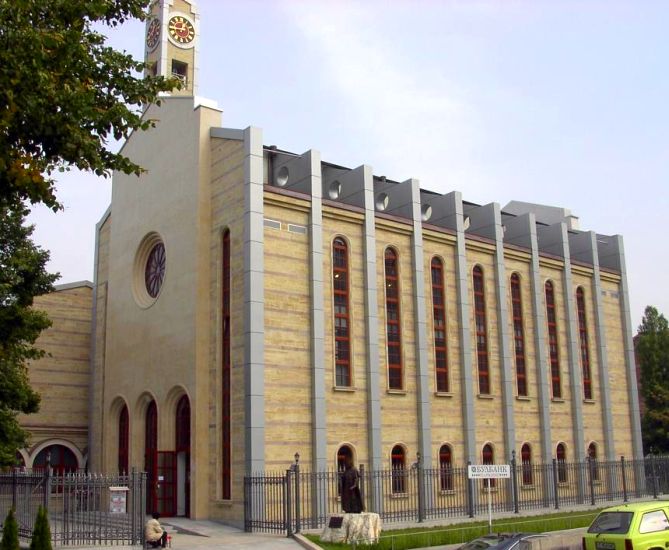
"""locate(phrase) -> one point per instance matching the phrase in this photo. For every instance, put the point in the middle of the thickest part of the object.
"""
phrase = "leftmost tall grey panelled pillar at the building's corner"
(254, 302)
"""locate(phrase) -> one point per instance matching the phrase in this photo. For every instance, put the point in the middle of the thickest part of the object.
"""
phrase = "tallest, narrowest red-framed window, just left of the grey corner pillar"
(226, 422)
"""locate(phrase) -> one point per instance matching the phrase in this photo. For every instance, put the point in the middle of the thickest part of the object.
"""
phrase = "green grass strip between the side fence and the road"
(418, 537)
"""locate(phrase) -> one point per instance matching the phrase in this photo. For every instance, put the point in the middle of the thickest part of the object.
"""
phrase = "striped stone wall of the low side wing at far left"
(62, 376)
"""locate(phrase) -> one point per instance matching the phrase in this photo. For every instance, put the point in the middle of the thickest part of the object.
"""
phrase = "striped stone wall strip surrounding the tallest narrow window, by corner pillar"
(227, 212)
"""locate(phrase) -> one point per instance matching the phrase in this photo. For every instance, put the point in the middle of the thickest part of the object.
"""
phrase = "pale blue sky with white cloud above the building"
(555, 102)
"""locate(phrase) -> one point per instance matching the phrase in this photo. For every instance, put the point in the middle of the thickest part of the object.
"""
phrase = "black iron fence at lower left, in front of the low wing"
(83, 509)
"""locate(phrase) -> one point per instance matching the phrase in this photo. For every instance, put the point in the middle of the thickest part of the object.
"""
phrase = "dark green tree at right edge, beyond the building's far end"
(653, 353)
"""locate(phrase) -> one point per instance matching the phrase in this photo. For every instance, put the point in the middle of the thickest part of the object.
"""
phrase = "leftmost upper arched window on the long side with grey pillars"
(340, 278)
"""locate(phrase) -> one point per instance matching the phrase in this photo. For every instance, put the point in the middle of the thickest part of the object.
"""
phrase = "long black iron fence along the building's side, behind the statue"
(287, 502)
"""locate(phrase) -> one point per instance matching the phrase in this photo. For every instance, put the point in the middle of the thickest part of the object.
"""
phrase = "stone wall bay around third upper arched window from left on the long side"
(447, 419)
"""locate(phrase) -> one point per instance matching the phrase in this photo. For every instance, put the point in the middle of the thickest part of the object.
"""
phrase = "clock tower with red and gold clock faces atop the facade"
(171, 42)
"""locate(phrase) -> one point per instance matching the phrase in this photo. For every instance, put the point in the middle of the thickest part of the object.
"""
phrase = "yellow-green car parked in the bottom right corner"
(637, 526)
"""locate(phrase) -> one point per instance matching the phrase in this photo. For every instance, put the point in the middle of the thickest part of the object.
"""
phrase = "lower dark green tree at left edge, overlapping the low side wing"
(22, 276)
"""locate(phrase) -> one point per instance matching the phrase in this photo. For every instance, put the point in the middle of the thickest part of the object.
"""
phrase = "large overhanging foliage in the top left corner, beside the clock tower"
(64, 94)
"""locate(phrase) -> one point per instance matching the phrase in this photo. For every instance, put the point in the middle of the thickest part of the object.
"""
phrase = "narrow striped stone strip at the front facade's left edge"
(98, 349)
